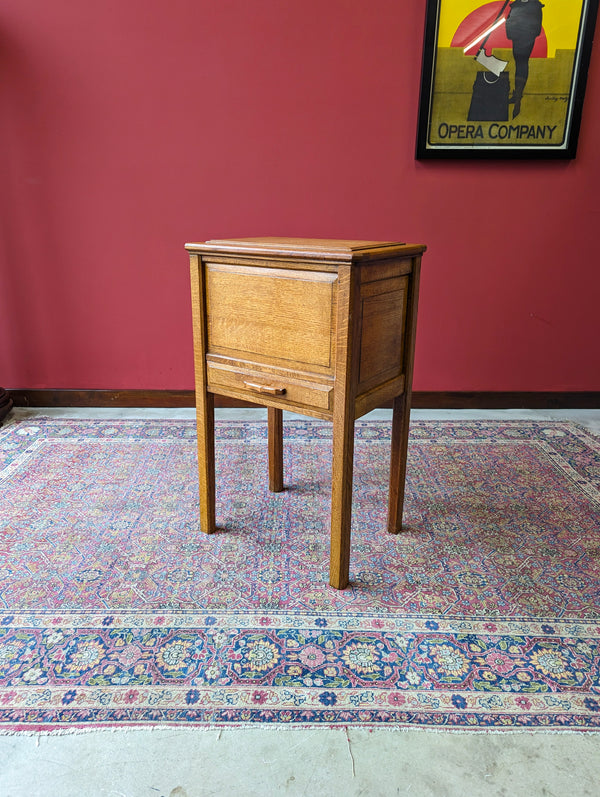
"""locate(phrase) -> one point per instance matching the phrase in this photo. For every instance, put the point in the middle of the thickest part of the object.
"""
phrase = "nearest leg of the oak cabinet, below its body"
(341, 501)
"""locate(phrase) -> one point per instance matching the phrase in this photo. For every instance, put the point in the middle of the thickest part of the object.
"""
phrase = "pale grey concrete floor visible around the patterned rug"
(180, 762)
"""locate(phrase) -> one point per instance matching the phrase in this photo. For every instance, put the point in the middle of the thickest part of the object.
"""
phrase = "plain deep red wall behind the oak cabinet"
(128, 127)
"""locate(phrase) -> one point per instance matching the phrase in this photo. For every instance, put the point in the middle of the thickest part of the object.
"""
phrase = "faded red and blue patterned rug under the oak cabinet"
(116, 611)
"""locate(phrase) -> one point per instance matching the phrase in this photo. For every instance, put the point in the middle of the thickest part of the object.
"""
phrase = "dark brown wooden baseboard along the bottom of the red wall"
(421, 399)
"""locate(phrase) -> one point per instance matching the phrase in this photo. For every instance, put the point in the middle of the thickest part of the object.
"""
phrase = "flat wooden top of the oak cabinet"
(327, 248)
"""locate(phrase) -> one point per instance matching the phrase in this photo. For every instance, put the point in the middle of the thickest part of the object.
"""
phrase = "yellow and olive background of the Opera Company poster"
(543, 117)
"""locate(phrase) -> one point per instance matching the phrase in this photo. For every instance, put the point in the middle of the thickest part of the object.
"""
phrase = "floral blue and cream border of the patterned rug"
(521, 674)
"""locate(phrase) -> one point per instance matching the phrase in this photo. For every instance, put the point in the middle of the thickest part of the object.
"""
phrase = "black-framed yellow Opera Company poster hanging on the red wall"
(504, 79)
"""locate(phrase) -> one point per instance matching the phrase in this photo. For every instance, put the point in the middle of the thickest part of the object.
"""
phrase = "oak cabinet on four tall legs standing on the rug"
(320, 327)
